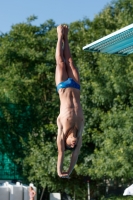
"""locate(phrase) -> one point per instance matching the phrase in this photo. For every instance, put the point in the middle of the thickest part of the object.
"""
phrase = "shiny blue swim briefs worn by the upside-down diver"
(68, 83)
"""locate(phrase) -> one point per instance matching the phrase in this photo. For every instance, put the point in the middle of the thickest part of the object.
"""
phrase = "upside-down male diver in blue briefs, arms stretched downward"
(70, 121)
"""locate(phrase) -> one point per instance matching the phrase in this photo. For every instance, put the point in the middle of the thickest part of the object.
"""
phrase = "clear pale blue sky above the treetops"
(61, 11)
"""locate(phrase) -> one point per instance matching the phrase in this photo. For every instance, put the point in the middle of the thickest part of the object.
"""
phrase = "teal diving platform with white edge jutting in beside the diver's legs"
(119, 42)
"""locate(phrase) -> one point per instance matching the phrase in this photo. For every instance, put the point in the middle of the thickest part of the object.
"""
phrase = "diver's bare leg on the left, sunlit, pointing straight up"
(61, 73)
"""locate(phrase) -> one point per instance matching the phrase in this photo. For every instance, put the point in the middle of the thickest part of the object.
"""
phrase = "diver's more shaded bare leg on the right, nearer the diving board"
(70, 67)
